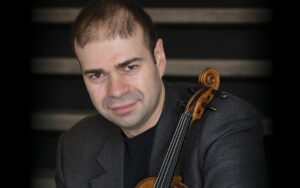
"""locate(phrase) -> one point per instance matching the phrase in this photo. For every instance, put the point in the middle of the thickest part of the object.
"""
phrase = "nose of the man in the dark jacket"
(117, 86)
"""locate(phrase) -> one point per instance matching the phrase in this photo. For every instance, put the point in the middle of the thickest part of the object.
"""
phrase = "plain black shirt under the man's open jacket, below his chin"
(137, 158)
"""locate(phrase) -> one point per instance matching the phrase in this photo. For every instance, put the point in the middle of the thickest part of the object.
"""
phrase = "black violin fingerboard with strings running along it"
(172, 149)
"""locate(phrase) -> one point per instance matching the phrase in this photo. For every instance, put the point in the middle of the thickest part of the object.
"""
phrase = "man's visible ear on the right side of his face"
(160, 57)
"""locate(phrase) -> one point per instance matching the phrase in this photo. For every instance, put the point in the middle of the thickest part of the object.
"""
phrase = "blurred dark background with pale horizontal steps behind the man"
(233, 36)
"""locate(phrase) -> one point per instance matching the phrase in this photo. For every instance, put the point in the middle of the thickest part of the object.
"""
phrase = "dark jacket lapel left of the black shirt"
(111, 158)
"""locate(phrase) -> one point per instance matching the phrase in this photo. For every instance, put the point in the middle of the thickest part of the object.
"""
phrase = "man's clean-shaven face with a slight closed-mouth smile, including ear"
(123, 81)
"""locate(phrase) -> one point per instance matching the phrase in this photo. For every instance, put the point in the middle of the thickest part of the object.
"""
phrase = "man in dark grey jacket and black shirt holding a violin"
(122, 65)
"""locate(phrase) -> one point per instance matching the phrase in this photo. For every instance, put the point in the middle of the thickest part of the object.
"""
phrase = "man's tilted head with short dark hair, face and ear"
(119, 68)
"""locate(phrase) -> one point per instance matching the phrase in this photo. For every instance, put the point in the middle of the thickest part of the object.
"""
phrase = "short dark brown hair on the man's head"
(118, 18)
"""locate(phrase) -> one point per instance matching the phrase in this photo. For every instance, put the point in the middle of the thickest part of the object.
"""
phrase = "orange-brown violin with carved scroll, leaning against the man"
(209, 80)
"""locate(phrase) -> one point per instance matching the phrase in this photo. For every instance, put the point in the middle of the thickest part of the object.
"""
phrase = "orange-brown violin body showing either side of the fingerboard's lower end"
(150, 182)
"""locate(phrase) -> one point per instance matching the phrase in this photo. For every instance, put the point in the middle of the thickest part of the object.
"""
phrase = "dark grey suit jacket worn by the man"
(224, 148)
